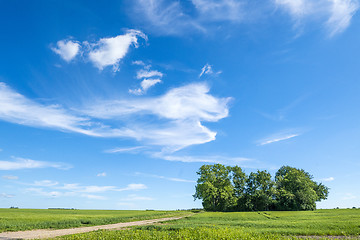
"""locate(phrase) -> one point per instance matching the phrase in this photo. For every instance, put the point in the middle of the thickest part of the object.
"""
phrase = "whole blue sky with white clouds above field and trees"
(117, 105)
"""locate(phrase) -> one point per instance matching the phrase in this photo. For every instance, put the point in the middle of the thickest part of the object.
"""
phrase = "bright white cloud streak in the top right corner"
(340, 15)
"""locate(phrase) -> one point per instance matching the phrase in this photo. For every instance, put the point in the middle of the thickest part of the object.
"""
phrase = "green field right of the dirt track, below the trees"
(244, 225)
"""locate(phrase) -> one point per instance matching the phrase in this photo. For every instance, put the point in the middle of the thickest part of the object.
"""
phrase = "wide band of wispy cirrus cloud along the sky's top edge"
(174, 18)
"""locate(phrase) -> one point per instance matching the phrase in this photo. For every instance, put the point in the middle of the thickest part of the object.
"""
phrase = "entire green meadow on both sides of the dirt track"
(203, 225)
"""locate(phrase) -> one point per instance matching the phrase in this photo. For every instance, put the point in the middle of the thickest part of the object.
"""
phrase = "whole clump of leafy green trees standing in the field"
(227, 188)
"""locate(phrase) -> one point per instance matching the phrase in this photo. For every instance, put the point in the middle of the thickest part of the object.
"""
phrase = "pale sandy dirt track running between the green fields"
(45, 233)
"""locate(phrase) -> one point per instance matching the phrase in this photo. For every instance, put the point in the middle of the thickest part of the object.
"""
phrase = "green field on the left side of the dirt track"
(28, 219)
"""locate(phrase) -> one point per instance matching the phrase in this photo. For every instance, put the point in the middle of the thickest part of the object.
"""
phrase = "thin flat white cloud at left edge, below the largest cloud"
(23, 163)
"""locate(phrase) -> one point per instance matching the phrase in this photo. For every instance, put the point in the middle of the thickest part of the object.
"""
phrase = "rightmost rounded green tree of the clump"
(296, 190)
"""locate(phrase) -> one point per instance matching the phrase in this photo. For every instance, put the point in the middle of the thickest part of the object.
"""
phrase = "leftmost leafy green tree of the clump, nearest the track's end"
(214, 188)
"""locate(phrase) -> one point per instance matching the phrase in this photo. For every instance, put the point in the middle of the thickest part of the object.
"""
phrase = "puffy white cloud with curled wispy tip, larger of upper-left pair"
(109, 51)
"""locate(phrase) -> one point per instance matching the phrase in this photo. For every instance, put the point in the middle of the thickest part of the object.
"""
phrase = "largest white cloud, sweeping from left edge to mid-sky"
(181, 110)
